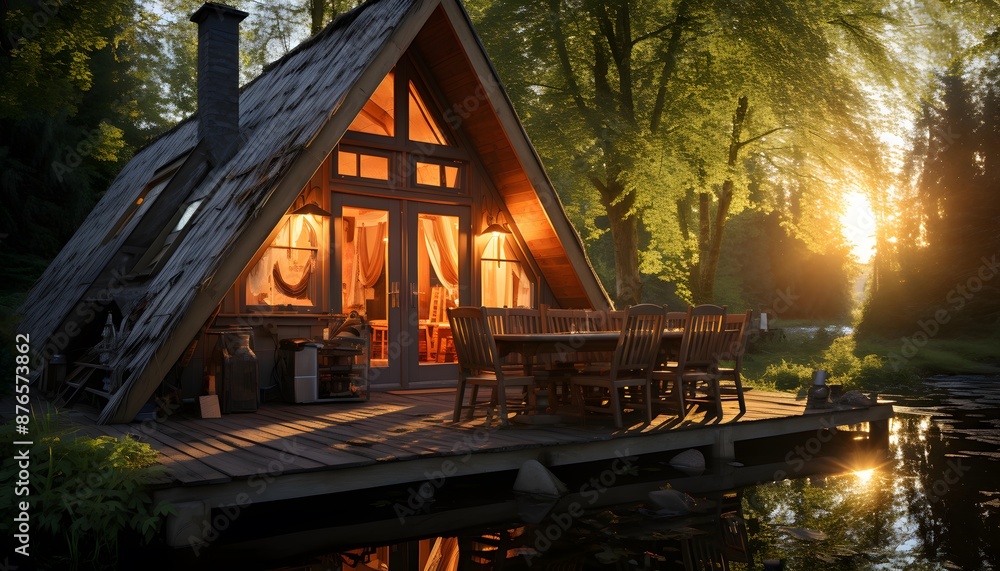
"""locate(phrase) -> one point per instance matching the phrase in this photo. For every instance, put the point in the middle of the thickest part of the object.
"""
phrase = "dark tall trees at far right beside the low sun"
(940, 266)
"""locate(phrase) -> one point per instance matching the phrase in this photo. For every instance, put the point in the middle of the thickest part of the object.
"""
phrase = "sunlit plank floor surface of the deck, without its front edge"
(405, 427)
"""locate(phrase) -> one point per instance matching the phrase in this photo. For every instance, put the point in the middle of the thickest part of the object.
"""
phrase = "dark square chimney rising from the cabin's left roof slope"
(219, 78)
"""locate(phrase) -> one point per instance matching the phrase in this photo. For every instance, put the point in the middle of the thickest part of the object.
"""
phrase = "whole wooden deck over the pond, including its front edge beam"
(400, 437)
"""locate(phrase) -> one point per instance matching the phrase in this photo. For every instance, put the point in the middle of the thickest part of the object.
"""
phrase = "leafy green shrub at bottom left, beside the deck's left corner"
(86, 493)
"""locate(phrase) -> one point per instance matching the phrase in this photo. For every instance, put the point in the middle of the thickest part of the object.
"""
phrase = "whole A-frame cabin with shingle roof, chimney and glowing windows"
(361, 172)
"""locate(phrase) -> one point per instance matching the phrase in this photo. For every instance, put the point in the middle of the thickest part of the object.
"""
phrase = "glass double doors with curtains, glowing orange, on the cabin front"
(401, 264)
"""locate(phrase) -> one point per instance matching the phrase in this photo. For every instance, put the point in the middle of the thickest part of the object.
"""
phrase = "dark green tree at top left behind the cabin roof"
(75, 102)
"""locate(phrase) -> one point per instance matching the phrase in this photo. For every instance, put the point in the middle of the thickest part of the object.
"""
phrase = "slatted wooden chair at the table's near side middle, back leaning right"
(631, 366)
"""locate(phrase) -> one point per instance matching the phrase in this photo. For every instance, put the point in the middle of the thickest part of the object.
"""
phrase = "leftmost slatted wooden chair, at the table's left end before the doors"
(479, 366)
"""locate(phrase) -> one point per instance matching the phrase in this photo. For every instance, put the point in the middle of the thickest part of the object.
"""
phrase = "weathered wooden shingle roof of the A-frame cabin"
(291, 117)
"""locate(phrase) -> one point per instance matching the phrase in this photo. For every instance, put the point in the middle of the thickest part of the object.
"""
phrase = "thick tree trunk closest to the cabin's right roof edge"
(625, 235)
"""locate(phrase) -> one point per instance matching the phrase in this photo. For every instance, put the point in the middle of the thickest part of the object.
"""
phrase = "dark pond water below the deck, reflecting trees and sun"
(931, 503)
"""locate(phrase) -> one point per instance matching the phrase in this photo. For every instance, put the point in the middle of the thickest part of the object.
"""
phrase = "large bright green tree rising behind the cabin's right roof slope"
(647, 108)
